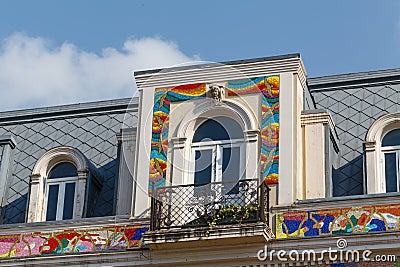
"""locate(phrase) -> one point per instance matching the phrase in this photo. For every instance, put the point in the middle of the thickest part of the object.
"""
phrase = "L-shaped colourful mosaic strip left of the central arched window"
(163, 97)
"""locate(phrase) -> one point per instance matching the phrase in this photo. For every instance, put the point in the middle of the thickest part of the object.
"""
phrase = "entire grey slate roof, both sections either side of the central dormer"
(355, 101)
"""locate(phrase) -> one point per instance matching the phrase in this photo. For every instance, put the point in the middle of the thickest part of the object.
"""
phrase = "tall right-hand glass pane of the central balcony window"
(231, 169)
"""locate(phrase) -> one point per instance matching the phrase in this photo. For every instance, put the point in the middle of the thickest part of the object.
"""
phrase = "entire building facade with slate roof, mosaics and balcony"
(241, 163)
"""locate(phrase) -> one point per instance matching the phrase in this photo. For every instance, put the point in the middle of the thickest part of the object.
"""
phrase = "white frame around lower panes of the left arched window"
(61, 182)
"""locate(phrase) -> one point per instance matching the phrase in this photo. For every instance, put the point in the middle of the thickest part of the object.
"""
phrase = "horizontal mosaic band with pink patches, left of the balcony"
(109, 238)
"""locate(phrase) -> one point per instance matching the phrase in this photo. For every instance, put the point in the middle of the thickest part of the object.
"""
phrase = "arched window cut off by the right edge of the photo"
(390, 148)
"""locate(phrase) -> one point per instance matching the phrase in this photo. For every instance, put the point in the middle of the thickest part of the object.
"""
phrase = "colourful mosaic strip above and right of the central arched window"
(269, 87)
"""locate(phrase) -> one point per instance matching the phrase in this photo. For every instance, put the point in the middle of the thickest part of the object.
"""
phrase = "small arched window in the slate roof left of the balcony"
(60, 192)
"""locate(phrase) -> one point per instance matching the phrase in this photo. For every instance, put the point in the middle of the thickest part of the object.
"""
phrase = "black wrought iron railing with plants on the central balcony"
(209, 204)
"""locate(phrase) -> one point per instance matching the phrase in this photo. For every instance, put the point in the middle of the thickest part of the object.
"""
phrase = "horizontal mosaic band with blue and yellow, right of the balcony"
(382, 218)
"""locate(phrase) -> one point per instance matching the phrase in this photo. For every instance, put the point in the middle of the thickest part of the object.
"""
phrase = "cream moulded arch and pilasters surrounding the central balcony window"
(208, 108)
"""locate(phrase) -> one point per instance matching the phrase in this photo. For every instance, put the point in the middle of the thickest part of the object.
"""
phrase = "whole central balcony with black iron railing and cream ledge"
(209, 211)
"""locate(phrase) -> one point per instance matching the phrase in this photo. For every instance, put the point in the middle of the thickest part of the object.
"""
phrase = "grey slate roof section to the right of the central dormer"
(355, 101)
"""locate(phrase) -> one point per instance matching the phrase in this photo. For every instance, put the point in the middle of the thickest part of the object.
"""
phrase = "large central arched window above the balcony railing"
(217, 149)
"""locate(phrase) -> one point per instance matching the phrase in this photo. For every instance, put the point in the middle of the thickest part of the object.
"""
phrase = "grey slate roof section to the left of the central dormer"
(89, 127)
